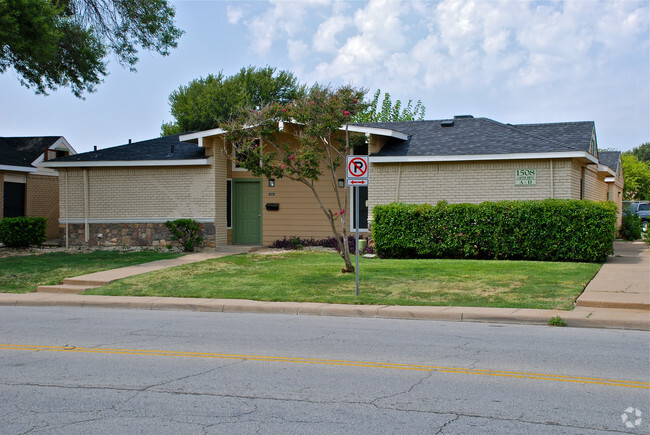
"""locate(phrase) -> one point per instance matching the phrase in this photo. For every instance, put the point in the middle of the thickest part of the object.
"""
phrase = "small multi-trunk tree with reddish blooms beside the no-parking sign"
(319, 147)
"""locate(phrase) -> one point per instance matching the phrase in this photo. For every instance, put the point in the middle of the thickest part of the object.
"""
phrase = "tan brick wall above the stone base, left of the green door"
(139, 193)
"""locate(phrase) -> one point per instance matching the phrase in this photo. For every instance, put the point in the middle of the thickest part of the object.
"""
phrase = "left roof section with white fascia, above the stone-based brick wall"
(152, 152)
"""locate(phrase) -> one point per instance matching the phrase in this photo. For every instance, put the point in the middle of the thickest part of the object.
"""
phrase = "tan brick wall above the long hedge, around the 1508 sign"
(471, 182)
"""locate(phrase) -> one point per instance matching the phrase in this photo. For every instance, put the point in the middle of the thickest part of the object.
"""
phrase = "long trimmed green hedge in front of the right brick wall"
(548, 230)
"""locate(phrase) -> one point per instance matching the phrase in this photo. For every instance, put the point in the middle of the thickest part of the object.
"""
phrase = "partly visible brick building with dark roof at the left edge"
(26, 187)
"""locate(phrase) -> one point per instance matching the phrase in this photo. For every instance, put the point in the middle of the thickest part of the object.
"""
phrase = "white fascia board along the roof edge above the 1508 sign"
(479, 157)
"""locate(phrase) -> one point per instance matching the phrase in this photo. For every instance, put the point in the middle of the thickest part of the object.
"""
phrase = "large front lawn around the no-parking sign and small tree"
(316, 277)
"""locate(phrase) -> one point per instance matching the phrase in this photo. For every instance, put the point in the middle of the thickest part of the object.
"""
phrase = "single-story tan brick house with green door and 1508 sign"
(123, 195)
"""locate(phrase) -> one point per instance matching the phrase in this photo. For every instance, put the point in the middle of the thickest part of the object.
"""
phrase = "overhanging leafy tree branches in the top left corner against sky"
(54, 43)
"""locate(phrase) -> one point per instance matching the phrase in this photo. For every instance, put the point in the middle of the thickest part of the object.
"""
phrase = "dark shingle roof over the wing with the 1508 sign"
(473, 136)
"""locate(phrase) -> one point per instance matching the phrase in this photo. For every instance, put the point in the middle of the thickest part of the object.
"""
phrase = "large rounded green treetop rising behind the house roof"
(207, 102)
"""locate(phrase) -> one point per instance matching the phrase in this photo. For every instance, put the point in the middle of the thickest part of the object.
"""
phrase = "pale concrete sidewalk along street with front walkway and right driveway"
(618, 297)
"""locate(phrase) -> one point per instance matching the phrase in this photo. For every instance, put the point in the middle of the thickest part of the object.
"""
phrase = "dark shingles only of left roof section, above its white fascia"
(152, 149)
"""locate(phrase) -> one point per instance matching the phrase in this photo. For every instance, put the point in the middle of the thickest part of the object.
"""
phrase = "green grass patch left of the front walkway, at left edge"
(23, 273)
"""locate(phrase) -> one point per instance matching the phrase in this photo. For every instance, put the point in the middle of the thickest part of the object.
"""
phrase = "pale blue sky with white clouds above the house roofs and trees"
(511, 61)
